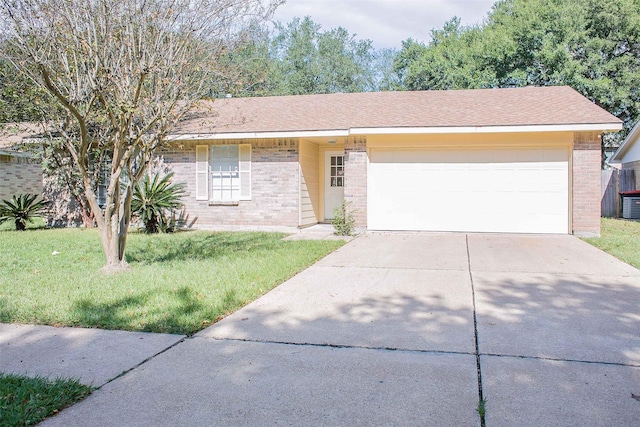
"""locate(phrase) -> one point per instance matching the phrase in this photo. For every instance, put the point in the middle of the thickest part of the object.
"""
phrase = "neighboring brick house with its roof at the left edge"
(19, 171)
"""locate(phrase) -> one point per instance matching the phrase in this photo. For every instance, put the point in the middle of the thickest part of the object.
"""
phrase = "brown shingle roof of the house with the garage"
(529, 106)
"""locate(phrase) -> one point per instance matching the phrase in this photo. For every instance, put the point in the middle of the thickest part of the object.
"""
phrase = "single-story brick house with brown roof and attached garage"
(518, 160)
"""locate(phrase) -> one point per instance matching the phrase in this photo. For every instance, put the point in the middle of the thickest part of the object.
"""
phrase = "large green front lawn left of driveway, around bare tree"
(178, 283)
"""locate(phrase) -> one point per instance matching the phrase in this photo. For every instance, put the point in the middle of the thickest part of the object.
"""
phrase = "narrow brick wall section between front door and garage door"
(355, 188)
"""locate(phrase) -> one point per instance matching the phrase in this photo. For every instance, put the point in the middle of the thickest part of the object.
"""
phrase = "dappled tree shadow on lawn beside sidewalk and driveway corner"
(187, 314)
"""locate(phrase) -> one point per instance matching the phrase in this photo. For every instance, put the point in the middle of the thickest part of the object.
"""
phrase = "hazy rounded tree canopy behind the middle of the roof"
(300, 58)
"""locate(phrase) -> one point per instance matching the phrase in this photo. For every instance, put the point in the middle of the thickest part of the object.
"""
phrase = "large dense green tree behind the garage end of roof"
(590, 45)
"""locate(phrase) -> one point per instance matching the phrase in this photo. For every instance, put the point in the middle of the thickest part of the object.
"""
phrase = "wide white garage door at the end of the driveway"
(517, 190)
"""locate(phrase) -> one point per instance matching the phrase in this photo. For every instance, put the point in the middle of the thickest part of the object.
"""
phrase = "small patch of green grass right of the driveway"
(620, 238)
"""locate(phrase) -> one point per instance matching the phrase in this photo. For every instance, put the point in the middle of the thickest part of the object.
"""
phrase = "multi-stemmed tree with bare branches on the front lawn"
(125, 73)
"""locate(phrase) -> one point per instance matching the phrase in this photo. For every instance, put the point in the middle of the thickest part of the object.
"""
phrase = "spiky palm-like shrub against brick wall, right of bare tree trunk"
(155, 202)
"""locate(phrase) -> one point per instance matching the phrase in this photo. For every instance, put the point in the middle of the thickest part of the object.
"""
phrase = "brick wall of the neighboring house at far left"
(19, 175)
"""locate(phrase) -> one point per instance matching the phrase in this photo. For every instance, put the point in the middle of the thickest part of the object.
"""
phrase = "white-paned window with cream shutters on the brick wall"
(223, 172)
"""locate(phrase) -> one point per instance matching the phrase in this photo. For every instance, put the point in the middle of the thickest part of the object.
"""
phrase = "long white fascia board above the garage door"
(488, 129)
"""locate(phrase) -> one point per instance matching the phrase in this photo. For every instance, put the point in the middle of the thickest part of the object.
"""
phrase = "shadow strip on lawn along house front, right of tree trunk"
(200, 246)
